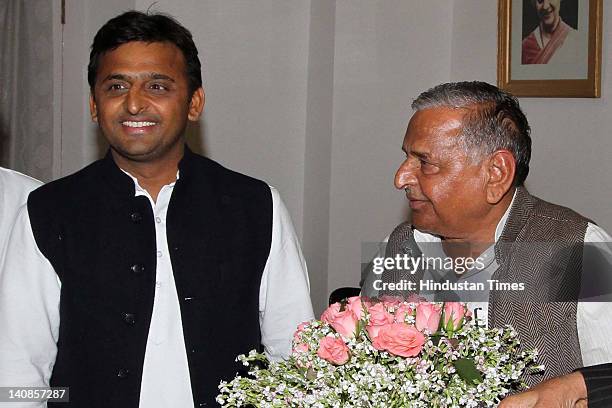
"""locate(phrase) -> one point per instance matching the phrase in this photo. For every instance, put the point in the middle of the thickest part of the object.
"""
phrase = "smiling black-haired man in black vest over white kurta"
(137, 280)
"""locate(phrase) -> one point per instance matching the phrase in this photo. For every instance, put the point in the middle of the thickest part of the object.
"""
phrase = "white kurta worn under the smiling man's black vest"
(29, 309)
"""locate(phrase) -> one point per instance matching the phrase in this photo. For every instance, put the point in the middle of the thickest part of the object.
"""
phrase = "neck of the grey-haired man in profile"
(475, 242)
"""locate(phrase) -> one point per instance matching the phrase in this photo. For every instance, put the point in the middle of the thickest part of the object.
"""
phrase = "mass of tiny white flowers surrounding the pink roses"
(376, 378)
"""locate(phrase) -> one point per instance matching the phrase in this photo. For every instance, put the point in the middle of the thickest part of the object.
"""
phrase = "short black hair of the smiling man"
(137, 26)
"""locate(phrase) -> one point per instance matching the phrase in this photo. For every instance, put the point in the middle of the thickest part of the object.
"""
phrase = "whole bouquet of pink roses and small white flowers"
(386, 353)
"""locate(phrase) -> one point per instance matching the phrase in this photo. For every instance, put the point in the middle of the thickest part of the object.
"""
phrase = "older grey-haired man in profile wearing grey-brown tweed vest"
(467, 155)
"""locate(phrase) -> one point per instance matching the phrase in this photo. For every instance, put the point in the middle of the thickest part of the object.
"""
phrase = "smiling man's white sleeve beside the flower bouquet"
(284, 294)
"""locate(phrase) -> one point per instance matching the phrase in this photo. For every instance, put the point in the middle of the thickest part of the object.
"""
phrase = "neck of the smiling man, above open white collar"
(151, 176)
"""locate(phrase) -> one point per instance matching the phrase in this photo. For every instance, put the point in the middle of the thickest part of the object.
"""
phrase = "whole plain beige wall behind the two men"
(313, 96)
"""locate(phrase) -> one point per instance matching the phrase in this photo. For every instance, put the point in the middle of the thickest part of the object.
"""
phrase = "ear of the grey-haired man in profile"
(500, 170)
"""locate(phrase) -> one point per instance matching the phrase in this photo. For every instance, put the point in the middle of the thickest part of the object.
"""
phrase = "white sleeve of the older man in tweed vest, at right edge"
(594, 319)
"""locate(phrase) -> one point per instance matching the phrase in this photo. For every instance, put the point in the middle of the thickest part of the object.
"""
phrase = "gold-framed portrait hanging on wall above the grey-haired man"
(550, 47)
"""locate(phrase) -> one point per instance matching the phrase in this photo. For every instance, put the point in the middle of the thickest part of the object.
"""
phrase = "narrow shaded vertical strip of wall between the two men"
(317, 154)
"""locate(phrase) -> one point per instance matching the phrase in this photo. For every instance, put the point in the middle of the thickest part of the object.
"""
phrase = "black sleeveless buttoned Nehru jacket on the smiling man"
(100, 239)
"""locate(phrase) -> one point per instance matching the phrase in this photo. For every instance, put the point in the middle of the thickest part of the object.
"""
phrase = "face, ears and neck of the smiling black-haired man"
(142, 100)
